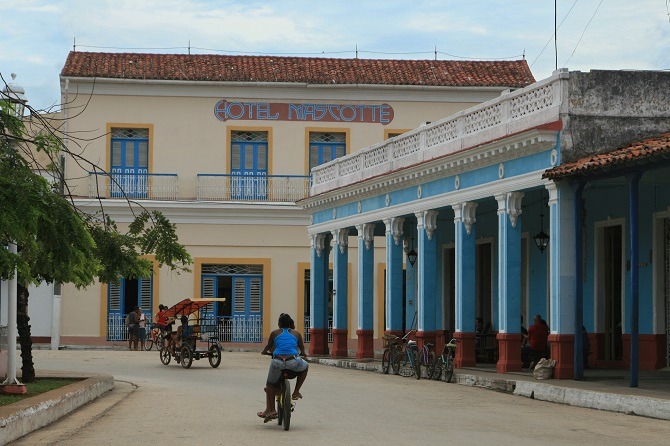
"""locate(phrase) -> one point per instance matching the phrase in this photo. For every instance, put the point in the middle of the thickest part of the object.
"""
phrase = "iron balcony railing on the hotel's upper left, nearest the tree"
(149, 186)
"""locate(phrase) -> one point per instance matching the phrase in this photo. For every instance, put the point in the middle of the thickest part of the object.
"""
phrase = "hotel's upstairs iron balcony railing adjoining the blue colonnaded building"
(263, 188)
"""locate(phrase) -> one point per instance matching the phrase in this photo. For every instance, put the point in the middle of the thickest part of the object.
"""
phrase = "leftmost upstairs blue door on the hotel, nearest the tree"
(130, 162)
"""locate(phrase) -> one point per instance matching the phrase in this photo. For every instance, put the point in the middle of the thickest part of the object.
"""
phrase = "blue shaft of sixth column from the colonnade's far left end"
(464, 241)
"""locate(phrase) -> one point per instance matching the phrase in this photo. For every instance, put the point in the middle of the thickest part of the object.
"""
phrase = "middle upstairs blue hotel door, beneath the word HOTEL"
(249, 167)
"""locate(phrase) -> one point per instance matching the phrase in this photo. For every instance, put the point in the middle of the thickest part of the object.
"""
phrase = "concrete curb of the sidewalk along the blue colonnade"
(613, 402)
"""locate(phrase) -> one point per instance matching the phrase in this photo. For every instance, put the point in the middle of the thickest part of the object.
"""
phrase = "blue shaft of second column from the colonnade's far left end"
(340, 279)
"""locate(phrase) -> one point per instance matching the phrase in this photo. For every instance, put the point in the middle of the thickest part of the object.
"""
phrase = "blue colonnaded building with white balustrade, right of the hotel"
(461, 206)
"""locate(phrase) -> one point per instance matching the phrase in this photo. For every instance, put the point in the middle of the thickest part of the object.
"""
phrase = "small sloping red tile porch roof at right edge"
(645, 151)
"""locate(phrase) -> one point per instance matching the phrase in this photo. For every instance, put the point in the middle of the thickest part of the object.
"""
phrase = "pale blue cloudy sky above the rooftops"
(37, 35)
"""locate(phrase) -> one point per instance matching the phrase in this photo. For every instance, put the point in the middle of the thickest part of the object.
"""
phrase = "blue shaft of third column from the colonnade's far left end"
(366, 255)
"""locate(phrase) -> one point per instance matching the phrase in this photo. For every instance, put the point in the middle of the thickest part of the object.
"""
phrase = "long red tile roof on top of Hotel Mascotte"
(206, 67)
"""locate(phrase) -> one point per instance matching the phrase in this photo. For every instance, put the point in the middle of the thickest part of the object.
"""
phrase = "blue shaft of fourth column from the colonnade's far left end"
(394, 274)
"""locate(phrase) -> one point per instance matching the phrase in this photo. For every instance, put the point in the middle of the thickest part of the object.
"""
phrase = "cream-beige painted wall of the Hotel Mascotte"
(187, 139)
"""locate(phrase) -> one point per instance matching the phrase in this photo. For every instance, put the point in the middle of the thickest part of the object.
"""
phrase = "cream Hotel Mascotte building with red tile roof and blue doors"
(223, 146)
